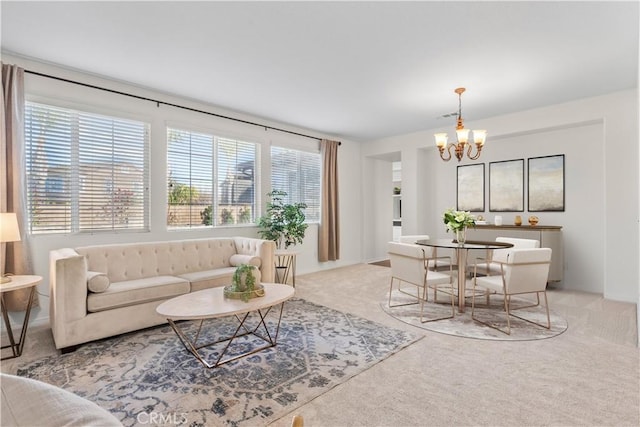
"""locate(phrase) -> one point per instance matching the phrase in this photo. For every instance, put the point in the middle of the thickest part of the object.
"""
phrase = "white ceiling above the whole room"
(356, 70)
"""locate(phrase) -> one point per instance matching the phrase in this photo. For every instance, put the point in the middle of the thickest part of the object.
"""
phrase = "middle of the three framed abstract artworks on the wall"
(506, 186)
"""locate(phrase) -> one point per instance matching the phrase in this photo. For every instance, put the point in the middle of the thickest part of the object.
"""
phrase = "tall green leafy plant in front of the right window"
(283, 223)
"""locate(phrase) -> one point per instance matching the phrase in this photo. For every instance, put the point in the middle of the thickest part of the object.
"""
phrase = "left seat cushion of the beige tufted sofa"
(133, 292)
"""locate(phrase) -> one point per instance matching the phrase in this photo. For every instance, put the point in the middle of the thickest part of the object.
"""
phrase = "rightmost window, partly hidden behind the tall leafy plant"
(298, 174)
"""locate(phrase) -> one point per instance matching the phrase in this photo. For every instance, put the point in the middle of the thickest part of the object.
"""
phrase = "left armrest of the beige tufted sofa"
(68, 289)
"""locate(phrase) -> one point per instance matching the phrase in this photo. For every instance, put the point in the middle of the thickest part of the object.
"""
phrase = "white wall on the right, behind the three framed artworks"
(599, 137)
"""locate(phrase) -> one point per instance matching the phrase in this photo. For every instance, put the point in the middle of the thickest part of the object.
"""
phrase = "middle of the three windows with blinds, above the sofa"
(211, 180)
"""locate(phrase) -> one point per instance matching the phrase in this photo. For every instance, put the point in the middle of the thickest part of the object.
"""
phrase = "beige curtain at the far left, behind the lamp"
(12, 189)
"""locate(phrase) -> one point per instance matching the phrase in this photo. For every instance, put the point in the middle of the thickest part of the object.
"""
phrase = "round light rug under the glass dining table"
(463, 325)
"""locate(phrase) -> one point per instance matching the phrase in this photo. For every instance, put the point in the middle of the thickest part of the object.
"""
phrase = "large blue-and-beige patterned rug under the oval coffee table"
(147, 377)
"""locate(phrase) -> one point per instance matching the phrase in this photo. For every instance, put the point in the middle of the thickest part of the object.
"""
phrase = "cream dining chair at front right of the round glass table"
(525, 271)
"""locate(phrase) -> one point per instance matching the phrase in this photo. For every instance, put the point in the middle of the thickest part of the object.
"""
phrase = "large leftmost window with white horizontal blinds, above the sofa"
(85, 172)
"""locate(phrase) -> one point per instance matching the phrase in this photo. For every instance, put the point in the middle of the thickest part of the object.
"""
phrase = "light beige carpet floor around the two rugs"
(587, 376)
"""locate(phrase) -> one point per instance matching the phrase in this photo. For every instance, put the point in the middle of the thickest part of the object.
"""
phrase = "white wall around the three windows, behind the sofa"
(74, 96)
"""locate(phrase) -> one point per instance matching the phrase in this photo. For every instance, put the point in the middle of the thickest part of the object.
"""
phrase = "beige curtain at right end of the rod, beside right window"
(329, 229)
